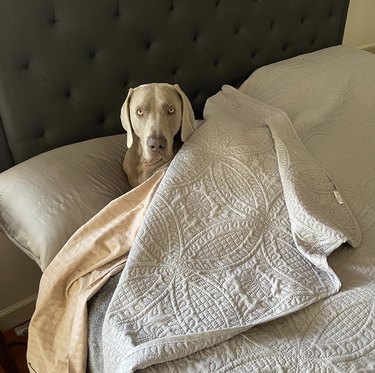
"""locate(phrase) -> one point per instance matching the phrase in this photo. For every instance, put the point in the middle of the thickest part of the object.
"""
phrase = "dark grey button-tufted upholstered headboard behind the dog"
(66, 65)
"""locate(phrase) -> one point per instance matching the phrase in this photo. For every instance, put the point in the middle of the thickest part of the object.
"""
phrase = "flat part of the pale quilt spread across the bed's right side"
(329, 96)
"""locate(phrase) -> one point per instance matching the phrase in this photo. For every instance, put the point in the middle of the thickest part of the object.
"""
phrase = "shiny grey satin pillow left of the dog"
(45, 199)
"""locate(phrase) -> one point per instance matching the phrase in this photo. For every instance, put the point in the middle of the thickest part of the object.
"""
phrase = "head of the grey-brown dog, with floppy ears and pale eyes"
(155, 113)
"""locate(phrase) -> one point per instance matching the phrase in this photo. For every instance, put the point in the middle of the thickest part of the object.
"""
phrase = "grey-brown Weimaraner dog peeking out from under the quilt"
(152, 115)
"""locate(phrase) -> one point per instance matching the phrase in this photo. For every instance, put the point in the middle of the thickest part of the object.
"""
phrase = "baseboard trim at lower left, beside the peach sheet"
(17, 313)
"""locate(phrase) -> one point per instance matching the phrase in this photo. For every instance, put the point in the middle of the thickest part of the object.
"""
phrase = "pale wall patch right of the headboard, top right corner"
(360, 24)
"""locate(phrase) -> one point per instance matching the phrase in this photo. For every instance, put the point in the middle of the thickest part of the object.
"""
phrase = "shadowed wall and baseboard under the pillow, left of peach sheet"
(19, 281)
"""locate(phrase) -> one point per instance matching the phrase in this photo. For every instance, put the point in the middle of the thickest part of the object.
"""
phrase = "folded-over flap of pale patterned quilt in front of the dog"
(237, 234)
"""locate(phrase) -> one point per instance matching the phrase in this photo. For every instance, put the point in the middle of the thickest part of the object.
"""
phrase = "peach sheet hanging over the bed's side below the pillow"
(91, 256)
